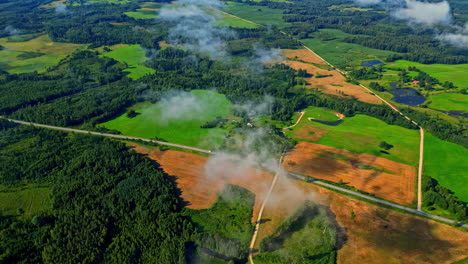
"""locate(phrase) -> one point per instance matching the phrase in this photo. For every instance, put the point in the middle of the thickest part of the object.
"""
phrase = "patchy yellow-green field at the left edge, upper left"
(36, 54)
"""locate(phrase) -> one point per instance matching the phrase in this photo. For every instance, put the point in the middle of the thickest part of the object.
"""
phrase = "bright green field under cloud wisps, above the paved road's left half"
(184, 128)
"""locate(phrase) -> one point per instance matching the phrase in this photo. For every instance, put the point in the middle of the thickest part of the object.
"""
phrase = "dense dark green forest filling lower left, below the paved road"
(109, 204)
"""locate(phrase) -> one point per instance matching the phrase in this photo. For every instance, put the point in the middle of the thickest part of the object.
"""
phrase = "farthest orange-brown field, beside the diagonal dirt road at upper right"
(334, 84)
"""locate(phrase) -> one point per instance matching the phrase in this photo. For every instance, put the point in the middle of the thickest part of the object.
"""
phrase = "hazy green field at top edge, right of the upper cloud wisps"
(259, 14)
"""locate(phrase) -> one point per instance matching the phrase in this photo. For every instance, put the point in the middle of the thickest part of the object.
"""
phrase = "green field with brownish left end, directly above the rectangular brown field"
(369, 132)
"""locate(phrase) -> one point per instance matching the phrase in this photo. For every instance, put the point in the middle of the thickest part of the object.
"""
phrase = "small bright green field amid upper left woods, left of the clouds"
(133, 56)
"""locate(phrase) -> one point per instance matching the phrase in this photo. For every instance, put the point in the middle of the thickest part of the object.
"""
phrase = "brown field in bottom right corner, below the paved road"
(374, 233)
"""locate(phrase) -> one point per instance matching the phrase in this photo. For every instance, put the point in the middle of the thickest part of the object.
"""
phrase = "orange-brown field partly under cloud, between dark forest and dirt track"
(200, 190)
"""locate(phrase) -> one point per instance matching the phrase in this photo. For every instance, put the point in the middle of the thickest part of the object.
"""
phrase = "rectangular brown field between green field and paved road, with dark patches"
(384, 178)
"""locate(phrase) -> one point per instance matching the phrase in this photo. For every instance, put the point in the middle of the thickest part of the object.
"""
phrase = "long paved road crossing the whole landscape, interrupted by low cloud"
(293, 175)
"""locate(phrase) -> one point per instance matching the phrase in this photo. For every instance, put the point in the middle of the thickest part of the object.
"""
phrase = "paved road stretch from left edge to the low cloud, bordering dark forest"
(107, 135)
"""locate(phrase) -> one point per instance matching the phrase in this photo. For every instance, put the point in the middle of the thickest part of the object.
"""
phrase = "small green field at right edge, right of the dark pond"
(449, 102)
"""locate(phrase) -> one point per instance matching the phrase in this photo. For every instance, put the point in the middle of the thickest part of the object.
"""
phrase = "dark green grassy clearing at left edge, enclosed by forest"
(31, 199)
